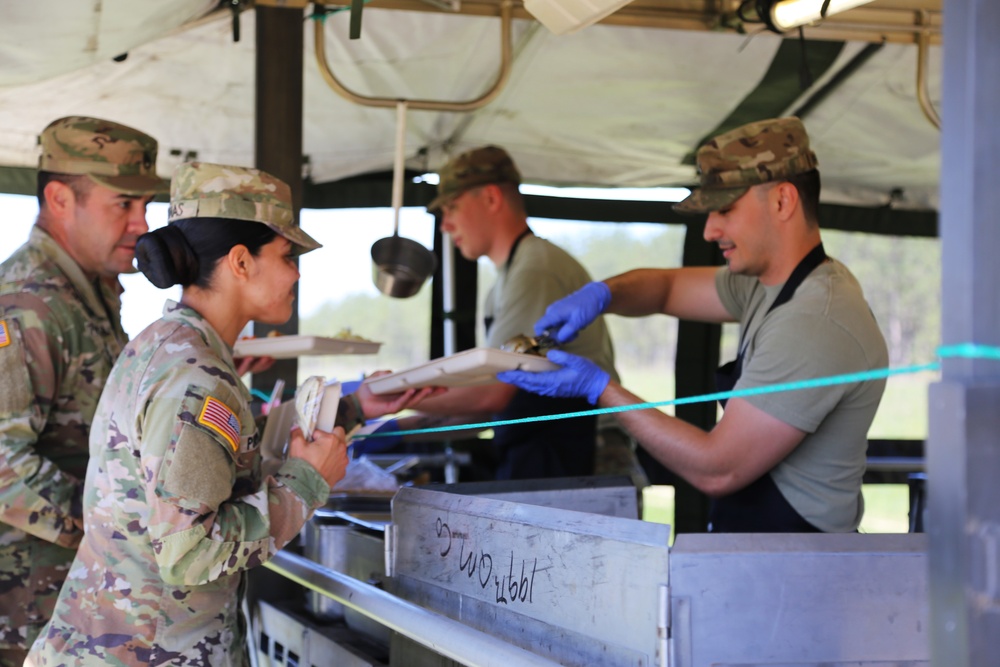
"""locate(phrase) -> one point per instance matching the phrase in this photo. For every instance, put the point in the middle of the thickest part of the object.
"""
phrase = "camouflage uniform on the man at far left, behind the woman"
(60, 334)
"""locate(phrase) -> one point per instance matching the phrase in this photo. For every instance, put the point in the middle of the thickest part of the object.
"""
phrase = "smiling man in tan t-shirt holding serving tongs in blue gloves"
(790, 461)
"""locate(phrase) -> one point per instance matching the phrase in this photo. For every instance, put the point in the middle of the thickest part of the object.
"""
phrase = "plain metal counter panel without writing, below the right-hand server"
(797, 600)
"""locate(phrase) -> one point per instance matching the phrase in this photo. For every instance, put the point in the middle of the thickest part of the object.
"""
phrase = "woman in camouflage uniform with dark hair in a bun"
(176, 510)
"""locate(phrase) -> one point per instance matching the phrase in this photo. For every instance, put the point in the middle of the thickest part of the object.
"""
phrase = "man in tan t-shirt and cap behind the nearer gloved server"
(481, 207)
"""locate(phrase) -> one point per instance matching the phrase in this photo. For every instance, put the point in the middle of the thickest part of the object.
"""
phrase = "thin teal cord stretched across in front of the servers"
(965, 350)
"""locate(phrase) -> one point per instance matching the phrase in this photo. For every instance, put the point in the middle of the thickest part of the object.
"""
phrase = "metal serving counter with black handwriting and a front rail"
(502, 574)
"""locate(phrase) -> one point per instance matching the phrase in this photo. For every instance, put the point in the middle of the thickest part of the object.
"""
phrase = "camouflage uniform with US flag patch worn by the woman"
(176, 509)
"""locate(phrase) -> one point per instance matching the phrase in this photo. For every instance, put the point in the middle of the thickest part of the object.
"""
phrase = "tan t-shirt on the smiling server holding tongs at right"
(826, 329)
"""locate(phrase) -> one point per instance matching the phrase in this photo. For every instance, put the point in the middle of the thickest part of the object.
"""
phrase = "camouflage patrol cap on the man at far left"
(112, 155)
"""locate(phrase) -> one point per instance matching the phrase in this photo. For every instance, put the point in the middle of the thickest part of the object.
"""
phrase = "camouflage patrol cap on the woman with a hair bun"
(204, 190)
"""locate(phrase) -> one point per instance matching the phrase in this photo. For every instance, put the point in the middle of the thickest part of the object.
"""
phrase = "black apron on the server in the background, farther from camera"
(535, 450)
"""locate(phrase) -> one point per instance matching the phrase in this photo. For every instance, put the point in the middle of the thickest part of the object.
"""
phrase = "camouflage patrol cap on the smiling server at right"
(759, 152)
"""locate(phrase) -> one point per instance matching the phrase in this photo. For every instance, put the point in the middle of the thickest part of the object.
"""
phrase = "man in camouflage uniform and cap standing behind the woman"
(60, 333)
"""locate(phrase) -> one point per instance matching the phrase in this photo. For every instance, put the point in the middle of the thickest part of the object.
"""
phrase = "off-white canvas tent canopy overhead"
(623, 103)
